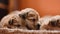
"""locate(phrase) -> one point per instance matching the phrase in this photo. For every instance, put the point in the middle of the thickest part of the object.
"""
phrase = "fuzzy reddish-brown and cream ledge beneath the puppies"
(20, 31)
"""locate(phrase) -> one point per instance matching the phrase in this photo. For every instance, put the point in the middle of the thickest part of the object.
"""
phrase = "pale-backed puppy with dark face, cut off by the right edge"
(53, 23)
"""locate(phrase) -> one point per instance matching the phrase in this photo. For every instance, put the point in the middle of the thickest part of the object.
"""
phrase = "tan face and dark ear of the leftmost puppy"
(13, 22)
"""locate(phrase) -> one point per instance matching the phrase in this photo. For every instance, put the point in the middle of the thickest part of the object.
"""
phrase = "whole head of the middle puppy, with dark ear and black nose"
(31, 18)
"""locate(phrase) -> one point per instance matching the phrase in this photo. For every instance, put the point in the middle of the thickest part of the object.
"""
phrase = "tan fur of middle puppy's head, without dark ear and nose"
(32, 15)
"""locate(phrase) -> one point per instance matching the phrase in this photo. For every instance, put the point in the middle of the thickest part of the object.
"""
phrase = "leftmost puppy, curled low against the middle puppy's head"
(13, 21)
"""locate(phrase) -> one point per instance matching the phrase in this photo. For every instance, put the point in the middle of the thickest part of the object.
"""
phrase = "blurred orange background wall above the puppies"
(44, 7)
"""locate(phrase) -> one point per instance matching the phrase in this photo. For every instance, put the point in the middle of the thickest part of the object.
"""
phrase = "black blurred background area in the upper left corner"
(3, 8)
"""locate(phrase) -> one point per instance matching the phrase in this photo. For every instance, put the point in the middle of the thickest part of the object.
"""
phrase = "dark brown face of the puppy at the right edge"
(53, 25)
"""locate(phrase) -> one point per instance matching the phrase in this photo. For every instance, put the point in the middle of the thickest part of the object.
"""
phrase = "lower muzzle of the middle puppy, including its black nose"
(32, 25)
